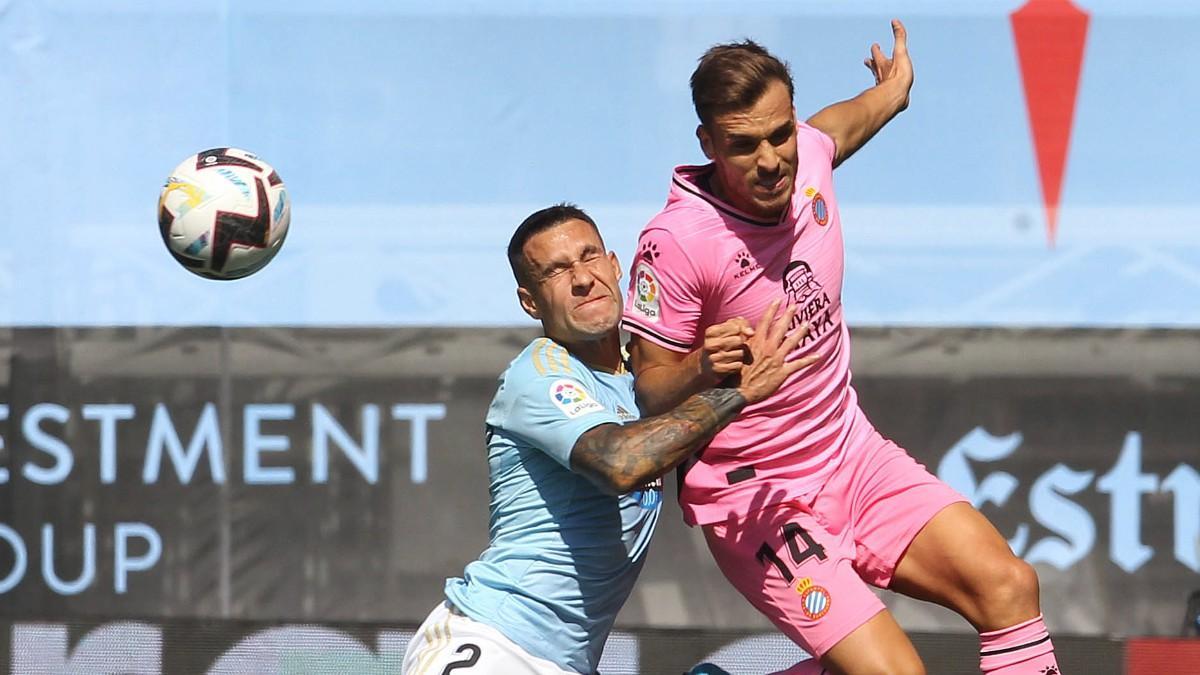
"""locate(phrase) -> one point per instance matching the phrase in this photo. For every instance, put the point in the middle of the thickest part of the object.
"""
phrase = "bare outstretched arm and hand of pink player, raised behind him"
(853, 123)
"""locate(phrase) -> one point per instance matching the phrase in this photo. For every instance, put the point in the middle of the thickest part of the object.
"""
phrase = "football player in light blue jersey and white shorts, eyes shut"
(573, 505)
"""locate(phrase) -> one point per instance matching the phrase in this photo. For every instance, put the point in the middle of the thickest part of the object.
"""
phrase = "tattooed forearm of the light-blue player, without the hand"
(621, 458)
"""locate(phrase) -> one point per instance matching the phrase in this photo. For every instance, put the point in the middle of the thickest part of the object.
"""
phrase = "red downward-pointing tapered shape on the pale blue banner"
(1051, 37)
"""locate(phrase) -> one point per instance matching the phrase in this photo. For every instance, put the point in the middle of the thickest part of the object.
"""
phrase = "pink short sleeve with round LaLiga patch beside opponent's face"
(665, 297)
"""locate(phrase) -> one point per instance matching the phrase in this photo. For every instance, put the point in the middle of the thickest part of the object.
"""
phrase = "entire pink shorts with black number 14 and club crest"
(806, 565)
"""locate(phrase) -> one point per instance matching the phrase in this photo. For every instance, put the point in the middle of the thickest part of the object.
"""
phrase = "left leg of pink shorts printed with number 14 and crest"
(795, 572)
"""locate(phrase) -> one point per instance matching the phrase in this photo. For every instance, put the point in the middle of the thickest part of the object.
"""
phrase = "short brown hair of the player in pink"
(734, 76)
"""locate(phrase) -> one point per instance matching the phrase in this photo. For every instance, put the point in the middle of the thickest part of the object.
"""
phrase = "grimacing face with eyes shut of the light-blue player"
(575, 288)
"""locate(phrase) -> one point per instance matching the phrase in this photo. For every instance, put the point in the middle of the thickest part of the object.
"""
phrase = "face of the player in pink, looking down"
(755, 153)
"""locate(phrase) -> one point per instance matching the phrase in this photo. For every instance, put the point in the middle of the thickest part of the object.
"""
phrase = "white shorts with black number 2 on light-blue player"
(452, 644)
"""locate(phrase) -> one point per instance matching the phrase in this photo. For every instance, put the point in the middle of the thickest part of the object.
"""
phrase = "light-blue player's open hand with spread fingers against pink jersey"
(770, 348)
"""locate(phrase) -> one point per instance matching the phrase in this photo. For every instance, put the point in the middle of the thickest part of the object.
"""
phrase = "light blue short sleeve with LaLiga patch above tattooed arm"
(551, 413)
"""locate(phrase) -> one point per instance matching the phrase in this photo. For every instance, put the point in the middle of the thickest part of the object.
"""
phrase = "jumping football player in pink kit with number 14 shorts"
(803, 504)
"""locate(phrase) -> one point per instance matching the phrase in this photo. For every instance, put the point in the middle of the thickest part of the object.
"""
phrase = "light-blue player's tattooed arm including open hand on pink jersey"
(620, 458)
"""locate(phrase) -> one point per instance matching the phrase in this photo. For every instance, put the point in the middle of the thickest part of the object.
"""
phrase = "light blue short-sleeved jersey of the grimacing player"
(563, 555)
